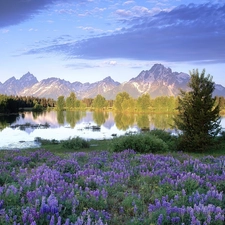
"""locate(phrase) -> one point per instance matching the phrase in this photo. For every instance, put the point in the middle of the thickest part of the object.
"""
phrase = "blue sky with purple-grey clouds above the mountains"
(88, 40)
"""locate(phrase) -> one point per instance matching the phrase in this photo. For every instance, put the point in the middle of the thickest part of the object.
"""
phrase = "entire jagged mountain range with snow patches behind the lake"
(158, 81)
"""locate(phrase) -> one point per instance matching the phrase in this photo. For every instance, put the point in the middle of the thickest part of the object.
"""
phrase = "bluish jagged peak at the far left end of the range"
(13, 86)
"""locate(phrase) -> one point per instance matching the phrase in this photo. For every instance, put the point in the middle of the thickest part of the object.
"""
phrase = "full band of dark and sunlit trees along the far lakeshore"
(123, 103)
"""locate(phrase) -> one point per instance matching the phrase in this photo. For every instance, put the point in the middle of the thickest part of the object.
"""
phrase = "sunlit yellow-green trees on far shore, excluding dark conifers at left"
(125, 103)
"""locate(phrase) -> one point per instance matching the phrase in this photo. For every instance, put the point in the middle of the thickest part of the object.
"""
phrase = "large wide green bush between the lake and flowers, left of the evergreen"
(142, 143)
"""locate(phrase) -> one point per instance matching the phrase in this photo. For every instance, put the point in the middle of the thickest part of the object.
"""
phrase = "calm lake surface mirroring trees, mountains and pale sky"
(21, 131)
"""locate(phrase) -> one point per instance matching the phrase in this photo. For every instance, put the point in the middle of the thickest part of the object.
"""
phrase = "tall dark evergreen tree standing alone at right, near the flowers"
(198, 117)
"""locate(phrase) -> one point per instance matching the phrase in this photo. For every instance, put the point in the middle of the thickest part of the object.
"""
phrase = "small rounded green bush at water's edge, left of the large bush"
(75, 143)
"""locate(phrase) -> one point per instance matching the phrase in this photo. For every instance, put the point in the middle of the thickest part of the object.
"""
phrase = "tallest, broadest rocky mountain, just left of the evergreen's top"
(157, 81)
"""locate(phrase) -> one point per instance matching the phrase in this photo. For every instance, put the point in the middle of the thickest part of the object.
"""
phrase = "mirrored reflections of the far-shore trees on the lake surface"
(122, 121)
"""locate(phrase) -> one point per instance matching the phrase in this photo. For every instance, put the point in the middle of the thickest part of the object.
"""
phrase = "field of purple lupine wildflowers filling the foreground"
(103, 187)
